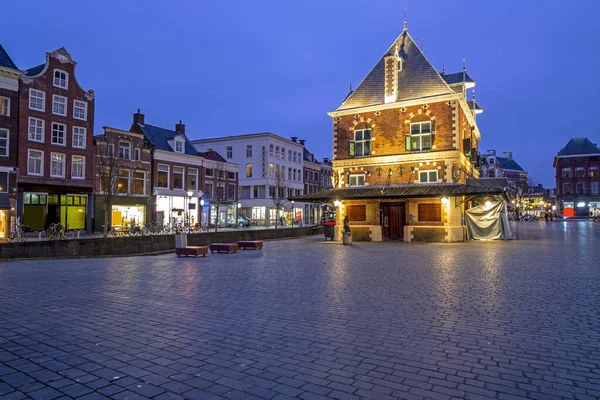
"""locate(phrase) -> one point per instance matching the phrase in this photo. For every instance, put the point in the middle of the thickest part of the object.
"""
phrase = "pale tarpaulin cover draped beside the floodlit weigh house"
(488, 221)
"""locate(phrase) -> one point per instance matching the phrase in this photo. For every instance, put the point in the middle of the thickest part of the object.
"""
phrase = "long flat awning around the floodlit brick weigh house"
(401, 191)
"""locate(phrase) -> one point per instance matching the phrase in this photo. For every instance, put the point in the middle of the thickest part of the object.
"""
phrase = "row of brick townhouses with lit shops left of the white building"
(53, 168)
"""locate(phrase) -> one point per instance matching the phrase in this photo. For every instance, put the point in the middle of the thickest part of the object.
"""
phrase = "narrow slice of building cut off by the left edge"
(9, 119)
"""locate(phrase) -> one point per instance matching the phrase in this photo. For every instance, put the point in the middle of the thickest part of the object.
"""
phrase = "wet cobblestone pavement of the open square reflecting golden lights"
(313, 320)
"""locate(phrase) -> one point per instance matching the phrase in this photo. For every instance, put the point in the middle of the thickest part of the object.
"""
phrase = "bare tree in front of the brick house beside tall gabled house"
(107, 184)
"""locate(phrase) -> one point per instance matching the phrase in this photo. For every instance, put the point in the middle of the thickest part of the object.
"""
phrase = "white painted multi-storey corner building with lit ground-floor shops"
(263, 157)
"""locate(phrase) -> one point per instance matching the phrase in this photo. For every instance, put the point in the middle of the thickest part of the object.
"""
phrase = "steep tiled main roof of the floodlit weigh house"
(417, 79)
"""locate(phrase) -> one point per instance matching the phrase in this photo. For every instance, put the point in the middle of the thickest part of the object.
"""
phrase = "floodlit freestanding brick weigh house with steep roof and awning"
(404, 143)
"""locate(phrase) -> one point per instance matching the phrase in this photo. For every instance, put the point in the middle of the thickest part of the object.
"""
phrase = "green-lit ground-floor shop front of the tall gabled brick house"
(41, 209)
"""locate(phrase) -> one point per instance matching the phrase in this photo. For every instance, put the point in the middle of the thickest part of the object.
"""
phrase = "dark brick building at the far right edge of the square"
(578, 178)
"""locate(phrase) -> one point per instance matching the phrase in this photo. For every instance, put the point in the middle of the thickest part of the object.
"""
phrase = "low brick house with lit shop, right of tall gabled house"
(122, 179)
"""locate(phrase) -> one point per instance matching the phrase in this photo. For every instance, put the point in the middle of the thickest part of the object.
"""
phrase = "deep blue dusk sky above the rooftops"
(233, 67)
